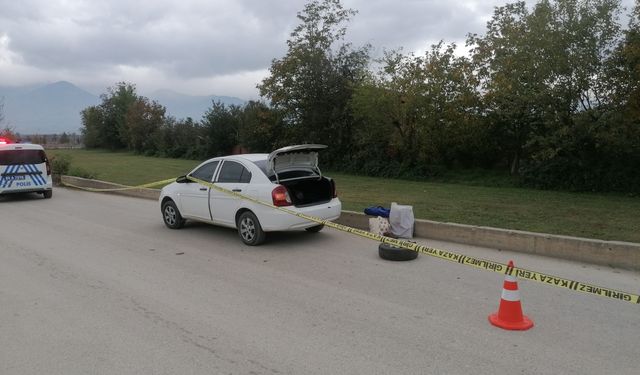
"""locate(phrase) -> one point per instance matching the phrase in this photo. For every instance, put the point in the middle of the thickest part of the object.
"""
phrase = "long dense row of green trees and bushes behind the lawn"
(550, 94)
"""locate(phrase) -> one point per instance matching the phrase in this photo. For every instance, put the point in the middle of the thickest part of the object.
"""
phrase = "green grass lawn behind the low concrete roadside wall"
(601, 216)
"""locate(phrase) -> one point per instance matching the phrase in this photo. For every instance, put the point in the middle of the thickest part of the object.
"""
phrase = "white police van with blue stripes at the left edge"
(24, 168)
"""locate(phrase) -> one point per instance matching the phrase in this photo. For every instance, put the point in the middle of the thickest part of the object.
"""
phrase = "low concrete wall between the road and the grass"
(609, 253)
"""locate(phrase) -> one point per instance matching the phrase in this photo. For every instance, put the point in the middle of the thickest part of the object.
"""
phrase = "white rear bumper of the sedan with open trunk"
(275, 220)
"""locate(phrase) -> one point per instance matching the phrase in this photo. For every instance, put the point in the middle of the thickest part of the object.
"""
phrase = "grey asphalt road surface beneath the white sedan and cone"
(96, 284)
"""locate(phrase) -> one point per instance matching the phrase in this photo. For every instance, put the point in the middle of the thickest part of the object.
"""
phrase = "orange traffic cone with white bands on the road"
(509, 315)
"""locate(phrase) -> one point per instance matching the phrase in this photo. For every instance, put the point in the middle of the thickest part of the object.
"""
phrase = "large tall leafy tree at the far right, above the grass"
(555, 81)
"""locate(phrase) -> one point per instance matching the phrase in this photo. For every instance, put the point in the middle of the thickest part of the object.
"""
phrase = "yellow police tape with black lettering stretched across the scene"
(441, 254)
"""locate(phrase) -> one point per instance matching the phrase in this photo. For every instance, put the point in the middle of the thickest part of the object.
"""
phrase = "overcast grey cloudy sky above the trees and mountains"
(199, 47)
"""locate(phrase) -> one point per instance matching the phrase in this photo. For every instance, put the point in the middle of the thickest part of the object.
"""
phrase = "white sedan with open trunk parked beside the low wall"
(288, 177)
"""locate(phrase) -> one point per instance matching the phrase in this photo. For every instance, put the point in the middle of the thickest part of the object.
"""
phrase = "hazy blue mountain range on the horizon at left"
(55, 108)
